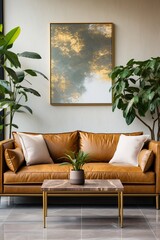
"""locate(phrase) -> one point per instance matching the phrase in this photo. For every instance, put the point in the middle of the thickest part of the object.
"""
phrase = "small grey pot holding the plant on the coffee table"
(77, 177)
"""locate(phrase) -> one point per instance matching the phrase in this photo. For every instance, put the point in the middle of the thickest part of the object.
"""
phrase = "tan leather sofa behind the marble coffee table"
(100, 146)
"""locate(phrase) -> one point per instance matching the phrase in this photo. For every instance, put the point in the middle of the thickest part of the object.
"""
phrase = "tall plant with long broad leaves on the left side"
(13, 89)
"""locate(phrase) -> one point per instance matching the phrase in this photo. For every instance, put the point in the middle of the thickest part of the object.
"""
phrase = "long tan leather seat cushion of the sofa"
(35, 174)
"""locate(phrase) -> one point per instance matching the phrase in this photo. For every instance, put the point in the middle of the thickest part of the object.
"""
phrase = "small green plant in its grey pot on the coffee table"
(77, 160)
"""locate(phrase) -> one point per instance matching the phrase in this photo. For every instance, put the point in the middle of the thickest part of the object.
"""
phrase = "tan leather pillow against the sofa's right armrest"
(145, 159)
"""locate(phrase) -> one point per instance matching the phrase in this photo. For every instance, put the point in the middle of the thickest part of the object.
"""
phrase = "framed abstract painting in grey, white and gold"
(81, 57)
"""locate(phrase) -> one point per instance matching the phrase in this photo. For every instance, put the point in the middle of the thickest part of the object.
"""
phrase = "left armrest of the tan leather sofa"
(9, 143)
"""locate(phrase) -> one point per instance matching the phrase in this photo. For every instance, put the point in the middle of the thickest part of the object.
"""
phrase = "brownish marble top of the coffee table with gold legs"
(110, 185)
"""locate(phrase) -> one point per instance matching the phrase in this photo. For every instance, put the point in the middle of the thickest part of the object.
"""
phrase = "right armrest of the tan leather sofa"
(155, 147)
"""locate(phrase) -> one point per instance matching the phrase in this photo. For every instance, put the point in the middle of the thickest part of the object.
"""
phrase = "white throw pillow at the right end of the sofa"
(128, 148)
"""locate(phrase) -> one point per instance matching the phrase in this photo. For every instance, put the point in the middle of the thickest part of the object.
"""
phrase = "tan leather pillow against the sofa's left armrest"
(14, 158)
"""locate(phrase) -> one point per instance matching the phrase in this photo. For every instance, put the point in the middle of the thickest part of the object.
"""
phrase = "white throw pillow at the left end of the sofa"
(34, 149)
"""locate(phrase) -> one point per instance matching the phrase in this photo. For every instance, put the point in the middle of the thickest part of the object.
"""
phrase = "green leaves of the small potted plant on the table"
(76, 159)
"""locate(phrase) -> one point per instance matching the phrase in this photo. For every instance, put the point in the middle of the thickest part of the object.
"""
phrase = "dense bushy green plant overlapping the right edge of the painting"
(136, 91)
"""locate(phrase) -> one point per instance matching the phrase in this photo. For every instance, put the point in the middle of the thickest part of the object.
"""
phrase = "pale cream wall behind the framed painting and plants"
(137, 35)
